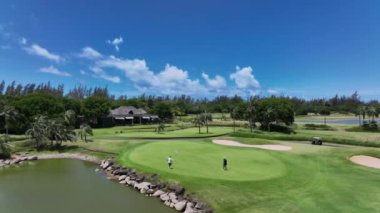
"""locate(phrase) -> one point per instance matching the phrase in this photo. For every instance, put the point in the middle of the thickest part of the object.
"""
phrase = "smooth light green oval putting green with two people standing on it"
(204, 160)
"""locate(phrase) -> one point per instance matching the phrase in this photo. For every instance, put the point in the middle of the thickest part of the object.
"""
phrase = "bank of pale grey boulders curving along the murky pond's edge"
(172, 196)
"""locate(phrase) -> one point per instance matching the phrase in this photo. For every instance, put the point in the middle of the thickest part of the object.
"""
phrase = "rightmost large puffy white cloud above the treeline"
(244, 79)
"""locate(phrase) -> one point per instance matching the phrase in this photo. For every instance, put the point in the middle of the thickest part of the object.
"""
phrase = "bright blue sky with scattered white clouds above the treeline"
(201, 48)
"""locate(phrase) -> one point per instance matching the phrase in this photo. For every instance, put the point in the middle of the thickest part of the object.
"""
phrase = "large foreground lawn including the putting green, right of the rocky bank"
(306, 179)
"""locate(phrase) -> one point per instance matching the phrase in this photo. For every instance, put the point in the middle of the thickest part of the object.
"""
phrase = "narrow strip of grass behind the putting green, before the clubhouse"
(178, 133)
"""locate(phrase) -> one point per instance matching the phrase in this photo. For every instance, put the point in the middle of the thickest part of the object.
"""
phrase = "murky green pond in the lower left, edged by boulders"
(63, 185)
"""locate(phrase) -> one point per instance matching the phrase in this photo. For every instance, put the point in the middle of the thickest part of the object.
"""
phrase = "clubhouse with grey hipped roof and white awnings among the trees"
(130, 115)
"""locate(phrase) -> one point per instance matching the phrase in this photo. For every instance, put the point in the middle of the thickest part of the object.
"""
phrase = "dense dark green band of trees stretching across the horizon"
(23, 103)
